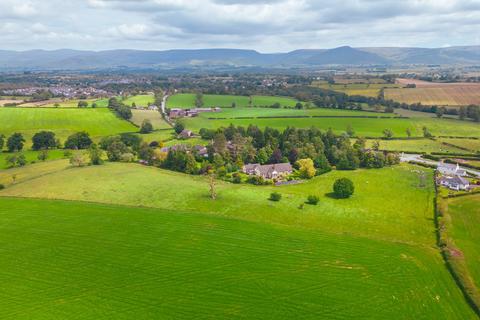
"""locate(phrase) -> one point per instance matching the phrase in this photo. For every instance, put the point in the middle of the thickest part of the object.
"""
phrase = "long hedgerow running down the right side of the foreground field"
(452, 256)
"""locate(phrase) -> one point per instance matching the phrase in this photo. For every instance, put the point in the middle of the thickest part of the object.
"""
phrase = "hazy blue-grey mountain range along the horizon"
(81, 60)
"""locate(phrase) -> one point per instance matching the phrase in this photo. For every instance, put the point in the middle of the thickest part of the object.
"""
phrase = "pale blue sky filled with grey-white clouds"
(262, 25)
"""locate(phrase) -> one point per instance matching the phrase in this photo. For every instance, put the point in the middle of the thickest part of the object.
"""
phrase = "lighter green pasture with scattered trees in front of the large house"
(407, 218)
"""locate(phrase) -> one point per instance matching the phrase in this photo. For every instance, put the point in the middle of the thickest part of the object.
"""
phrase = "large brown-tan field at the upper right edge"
(443, 95)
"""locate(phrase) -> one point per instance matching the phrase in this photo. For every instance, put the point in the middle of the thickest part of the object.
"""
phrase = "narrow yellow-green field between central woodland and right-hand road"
(415, 145)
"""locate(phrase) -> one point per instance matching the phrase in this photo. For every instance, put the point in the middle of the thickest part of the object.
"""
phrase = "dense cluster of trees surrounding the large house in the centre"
(311, 151)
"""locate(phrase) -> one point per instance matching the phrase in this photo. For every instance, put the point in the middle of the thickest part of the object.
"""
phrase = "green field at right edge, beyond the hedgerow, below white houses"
(465, 231)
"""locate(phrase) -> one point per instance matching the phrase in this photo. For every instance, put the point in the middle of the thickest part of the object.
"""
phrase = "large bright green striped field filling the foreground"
(80, 260)
